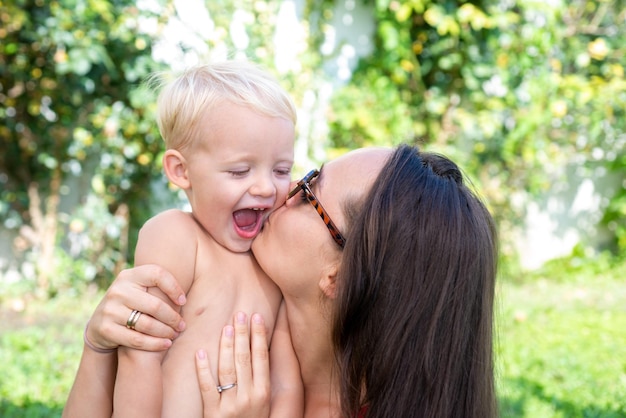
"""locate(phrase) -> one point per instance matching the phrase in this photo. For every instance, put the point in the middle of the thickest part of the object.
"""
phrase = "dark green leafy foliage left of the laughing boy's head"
(74, 116)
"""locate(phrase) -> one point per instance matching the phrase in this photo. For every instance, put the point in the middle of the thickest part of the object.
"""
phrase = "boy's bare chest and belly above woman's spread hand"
(221, 288)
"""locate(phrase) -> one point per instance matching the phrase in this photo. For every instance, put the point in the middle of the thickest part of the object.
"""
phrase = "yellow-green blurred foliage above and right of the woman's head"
(517, 92)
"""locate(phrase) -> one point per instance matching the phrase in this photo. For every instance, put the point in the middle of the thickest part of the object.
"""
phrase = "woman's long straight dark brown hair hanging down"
(414, 312)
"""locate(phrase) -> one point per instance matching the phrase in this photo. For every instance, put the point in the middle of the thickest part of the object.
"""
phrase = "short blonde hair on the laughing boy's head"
(183, 101)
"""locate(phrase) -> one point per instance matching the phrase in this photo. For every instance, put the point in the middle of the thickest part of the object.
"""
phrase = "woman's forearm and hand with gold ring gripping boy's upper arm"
(95, 378)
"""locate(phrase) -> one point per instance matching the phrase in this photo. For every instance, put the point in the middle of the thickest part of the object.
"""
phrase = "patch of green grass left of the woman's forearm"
(39, 352)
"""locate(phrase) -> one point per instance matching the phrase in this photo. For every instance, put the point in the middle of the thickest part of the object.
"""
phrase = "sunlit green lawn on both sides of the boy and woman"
(560, 347)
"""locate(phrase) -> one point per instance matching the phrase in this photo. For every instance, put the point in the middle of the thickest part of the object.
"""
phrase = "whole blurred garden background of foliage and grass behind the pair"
(529, 97)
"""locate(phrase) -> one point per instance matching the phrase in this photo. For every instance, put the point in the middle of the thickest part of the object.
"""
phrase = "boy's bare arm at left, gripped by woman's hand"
(168, 239)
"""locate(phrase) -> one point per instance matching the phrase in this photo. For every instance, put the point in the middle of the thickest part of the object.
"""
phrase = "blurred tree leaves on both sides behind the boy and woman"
(517, 92)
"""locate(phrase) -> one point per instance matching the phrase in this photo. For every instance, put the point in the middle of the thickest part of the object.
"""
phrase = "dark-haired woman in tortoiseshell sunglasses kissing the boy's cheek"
(397, 322)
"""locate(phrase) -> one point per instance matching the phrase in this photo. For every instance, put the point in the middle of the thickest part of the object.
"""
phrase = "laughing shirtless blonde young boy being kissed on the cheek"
(229, 134)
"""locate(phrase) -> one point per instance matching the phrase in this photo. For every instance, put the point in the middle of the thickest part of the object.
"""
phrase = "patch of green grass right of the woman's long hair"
(561, 347)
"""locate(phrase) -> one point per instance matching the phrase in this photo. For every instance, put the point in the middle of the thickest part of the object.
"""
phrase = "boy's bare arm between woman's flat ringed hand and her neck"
(286, 381)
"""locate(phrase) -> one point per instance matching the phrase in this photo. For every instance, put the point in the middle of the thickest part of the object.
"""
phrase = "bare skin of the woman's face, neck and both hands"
(308, 295)
